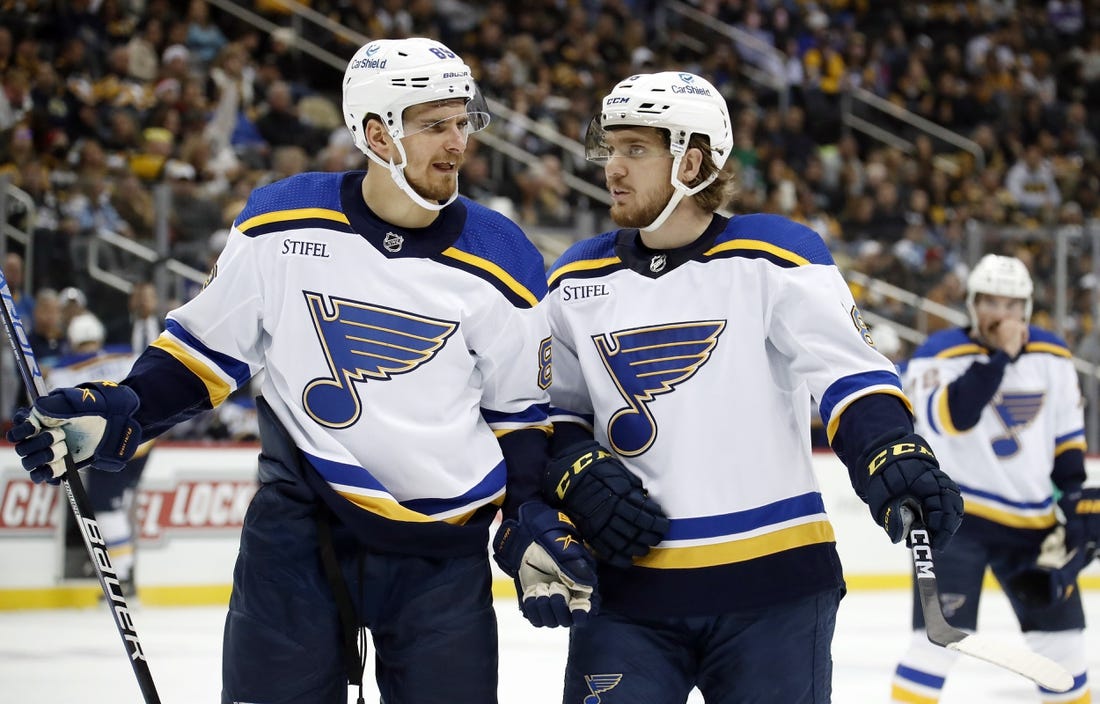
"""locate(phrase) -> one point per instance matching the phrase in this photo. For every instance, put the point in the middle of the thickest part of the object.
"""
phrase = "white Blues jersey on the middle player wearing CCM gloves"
(698, 367)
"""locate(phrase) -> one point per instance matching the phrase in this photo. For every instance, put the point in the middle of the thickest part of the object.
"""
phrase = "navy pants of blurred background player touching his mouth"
(960, 574)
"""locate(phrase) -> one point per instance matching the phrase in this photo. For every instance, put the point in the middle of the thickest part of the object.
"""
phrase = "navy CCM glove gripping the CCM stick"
(905, 470)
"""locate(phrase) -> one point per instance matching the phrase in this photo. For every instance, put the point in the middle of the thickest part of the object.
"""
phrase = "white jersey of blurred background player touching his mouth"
(1004, 464)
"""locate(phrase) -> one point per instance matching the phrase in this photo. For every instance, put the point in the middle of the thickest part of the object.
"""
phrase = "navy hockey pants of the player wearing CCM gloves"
(765, 656)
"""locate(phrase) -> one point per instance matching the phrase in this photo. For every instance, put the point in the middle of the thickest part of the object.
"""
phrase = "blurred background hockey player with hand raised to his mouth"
(1000, 405)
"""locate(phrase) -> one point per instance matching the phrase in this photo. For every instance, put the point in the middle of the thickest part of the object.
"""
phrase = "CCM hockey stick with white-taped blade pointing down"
(1019, 659)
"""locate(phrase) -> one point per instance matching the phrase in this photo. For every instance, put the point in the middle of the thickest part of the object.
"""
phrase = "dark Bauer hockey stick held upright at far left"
(79, 502)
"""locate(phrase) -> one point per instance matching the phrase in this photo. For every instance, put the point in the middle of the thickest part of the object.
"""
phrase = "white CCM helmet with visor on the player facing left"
(679, 103)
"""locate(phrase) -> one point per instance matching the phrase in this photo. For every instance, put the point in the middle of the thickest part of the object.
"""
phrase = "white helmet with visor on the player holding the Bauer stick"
(387, 76)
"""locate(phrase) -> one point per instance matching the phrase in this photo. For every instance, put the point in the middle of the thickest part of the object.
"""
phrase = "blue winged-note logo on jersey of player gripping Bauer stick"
(362, 344)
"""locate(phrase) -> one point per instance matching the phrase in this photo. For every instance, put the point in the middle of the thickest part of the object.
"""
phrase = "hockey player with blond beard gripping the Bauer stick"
(404, 402)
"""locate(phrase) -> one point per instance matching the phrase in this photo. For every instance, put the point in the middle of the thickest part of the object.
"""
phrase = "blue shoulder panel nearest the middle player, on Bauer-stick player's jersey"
(497, 249)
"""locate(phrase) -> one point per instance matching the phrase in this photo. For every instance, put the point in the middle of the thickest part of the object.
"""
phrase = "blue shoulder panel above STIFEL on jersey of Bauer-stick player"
(304, 201)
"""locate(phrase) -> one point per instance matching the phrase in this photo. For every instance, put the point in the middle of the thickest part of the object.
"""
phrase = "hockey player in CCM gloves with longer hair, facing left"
(688, 347)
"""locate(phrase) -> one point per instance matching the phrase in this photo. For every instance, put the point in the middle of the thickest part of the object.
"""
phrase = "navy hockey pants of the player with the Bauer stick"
(432, 621)
